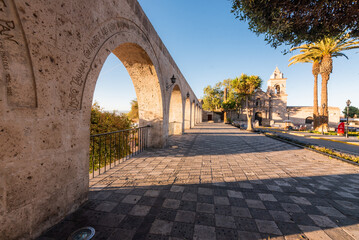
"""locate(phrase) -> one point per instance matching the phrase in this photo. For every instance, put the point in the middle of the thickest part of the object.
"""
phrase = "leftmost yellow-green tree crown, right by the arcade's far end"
(213, 97)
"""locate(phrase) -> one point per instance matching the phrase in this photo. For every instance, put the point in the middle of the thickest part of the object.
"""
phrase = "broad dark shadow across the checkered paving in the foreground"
(302, 208)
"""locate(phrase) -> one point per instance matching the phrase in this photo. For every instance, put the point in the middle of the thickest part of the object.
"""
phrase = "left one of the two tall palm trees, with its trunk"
(306, 57)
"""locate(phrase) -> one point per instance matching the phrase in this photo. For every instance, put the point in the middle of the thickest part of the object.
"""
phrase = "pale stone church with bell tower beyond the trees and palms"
(270, 108)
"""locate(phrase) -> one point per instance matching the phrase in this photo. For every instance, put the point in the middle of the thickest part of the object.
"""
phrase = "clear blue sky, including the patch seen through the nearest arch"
(210, 45)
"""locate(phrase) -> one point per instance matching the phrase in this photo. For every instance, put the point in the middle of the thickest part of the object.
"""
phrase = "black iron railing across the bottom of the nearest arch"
(109, 149)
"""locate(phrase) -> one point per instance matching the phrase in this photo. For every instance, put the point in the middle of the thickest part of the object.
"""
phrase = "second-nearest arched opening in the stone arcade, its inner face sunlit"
(175, 126)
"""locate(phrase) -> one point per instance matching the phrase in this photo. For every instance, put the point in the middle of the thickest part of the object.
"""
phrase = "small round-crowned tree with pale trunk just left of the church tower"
(246, 86)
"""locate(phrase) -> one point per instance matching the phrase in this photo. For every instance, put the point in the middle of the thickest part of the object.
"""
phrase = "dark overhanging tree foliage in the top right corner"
(294, 22)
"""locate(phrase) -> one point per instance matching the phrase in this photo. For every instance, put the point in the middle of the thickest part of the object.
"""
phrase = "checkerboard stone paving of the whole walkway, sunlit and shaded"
(217, 182)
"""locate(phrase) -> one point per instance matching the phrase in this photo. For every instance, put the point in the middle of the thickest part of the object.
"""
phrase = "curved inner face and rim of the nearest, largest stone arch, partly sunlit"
(143, 74)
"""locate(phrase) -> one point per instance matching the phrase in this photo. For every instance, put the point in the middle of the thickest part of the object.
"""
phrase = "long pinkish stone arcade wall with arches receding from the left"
(51, 56)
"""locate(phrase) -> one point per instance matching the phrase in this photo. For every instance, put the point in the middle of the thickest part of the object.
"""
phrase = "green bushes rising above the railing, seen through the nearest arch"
(103, 122)
